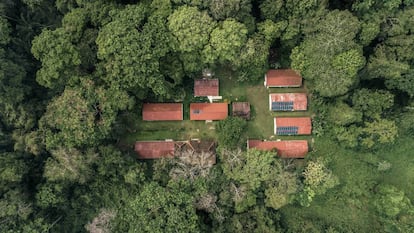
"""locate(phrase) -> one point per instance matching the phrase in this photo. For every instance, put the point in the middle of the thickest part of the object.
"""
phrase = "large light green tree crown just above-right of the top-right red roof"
(329, 57)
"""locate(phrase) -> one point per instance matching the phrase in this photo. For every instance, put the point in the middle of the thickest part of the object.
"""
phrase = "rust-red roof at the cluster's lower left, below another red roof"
(154, 149)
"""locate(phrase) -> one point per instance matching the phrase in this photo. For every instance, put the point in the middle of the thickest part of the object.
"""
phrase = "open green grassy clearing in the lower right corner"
(349, 206)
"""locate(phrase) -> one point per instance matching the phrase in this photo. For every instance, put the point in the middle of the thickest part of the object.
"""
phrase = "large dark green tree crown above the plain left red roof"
(131, 46)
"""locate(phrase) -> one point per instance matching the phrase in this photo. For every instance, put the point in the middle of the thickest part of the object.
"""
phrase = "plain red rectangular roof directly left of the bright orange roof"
(162, 112)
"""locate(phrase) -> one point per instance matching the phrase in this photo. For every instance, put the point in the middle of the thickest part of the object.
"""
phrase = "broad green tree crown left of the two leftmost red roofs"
(82, 115)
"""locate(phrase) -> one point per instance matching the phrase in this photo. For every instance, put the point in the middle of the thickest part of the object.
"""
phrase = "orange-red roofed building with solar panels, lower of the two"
(292, 126)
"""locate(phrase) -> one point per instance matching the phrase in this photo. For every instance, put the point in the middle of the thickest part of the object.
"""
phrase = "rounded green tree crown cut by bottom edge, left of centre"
(157, 209)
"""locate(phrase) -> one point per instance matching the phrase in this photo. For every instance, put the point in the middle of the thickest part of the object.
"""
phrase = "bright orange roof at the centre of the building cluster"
(208, 111)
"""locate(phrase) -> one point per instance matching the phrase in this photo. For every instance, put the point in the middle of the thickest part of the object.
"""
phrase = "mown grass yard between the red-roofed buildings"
(259, 127)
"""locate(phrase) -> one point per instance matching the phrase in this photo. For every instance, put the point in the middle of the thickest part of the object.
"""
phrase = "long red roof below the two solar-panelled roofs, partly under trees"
(285, 149)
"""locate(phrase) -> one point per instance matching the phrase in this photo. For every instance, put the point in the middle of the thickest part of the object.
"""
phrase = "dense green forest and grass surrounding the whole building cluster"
(74, 75)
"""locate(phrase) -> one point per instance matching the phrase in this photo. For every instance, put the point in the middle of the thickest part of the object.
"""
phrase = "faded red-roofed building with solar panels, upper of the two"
(288, 102)
